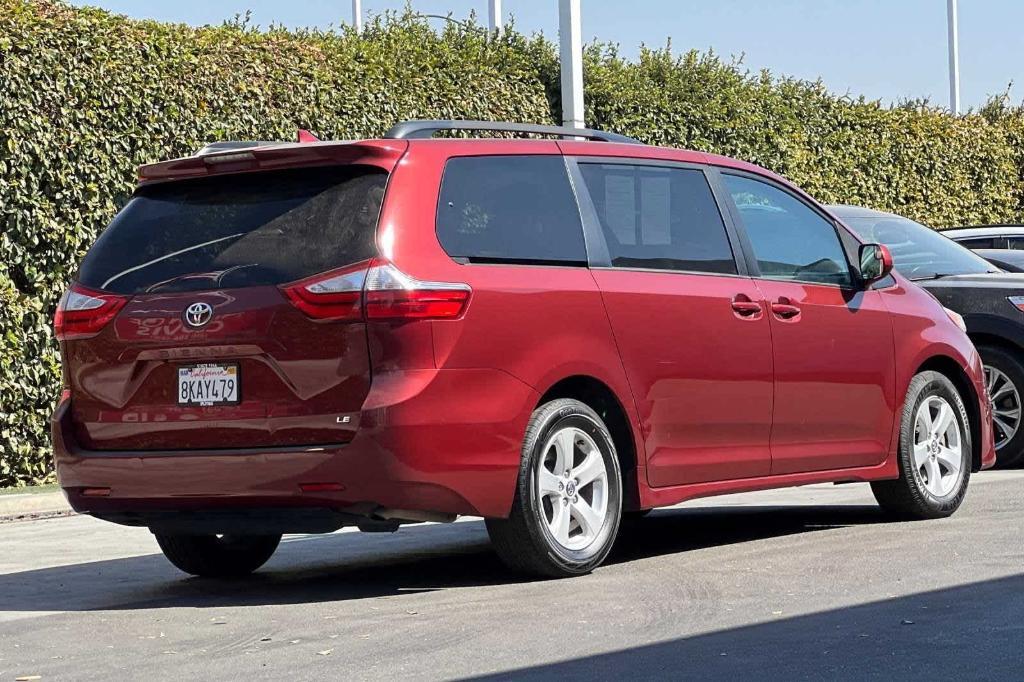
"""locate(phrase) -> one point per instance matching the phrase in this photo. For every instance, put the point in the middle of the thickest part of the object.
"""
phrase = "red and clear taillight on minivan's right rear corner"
(376, 290)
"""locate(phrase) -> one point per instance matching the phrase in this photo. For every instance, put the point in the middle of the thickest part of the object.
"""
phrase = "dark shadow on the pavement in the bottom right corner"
(968, 632)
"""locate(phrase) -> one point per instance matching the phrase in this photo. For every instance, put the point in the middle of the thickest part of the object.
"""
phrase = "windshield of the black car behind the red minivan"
(919, 252)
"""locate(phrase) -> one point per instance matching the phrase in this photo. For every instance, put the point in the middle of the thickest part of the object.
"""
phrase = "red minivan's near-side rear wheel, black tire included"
(546, 533)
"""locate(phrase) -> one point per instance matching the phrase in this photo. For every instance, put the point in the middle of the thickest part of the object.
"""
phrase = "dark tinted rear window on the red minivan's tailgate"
(238, 231)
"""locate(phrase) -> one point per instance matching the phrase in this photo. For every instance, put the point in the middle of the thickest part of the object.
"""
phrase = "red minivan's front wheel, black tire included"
(928, 486)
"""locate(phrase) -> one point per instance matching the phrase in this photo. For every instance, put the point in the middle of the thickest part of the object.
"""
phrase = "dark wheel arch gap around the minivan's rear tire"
(601, 398)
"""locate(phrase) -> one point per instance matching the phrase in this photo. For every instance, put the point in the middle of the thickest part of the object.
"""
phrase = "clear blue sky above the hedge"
(886, 50)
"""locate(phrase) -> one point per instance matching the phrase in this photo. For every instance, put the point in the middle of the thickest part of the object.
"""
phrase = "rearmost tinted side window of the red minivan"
(519, 209)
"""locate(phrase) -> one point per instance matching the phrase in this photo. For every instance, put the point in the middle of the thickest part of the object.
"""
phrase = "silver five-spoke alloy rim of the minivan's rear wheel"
(573, 489)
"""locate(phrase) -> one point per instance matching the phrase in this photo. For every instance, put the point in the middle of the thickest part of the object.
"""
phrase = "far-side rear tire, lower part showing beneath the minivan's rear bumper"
(219, 557)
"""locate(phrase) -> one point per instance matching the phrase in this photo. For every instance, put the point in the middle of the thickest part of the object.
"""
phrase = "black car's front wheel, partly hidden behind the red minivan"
(1005, 375)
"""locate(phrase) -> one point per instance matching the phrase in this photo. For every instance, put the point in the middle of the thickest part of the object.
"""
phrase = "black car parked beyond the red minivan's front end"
(991, 301)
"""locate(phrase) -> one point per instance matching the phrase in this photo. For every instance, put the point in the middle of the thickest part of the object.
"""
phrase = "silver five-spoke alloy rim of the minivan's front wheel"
(938, 447)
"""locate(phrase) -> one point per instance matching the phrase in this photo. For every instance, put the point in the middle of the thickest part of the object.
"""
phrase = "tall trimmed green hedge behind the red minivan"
(87, 97)
